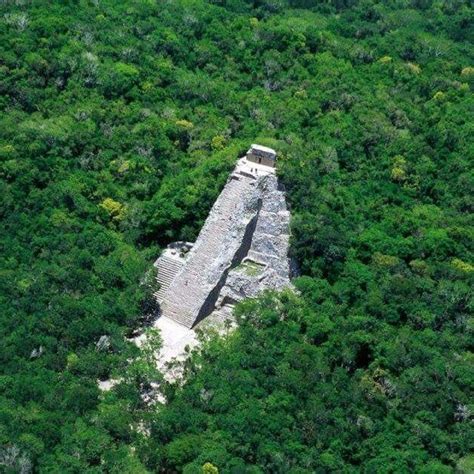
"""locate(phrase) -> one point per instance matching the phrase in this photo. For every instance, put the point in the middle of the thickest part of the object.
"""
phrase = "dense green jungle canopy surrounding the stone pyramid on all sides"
(119, 124)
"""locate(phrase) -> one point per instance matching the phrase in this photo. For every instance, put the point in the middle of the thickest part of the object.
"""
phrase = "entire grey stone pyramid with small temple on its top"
(241, 250)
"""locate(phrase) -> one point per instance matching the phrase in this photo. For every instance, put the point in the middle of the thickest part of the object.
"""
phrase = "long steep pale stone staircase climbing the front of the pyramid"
(192, 293)
